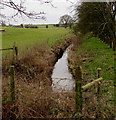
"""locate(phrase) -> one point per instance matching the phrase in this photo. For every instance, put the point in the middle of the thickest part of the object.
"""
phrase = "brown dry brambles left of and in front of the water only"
(34, 96)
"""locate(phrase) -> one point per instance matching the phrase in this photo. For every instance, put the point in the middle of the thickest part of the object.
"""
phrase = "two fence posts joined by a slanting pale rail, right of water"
(79, 89)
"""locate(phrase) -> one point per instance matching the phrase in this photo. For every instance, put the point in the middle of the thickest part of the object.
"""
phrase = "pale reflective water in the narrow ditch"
(62, 80)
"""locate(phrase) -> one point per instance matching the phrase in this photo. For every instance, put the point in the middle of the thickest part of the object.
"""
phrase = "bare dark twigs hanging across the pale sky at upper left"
(20, 9)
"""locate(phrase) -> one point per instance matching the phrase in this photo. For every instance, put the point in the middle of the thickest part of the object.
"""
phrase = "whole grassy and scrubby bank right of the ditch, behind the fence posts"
(91, 54)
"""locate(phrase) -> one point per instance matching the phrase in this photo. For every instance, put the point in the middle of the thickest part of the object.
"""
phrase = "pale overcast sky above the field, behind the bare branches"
(52, 14)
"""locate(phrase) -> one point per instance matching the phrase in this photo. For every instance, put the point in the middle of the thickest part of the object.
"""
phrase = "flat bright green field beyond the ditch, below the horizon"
(27, 37)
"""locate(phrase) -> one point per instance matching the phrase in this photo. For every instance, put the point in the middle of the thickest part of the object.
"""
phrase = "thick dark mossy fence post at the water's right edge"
(78, 89)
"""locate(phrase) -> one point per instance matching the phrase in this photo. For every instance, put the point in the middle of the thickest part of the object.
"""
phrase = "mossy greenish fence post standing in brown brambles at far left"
(12, 86)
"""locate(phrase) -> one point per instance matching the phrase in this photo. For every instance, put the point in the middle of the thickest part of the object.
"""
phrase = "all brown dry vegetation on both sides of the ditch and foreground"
(34, 96)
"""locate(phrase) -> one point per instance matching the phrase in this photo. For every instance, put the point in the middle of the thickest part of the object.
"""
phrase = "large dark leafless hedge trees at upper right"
(96, 17)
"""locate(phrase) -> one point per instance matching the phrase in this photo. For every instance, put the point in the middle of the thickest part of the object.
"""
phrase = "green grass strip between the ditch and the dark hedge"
(98, 55)
